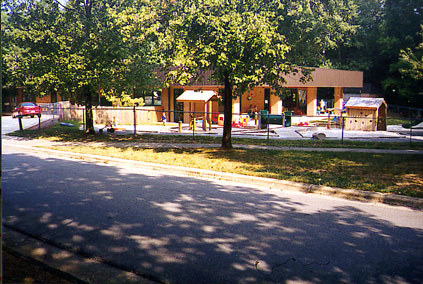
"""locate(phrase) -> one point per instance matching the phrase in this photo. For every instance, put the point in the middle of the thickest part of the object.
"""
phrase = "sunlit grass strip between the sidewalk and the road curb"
(400, 174)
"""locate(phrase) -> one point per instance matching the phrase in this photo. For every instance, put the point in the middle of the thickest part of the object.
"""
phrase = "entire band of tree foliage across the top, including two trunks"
(85, 47)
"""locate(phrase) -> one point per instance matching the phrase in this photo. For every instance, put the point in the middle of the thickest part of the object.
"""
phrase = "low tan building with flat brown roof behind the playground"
(302, 98)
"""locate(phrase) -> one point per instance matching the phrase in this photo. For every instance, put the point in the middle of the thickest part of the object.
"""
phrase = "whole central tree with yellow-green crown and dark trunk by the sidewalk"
(235, 39)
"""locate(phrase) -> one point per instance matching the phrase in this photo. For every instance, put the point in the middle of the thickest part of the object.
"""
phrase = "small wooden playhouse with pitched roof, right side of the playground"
(366, 114)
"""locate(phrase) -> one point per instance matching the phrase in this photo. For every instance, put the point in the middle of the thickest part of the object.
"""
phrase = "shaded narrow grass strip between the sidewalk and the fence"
(73, 134)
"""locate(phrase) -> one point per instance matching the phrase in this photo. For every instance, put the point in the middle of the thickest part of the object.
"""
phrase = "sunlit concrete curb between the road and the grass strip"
(351, 194)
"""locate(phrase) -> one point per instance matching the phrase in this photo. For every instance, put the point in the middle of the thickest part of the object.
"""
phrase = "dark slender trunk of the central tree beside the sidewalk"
(227, 126)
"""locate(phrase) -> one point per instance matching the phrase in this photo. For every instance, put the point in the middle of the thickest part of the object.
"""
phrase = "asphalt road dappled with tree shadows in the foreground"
(179, 229)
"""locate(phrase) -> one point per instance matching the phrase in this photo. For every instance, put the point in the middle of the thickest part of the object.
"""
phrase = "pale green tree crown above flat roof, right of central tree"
(317, 30)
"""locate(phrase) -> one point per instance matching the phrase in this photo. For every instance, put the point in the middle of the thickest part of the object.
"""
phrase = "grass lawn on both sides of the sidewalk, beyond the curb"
(400, 174)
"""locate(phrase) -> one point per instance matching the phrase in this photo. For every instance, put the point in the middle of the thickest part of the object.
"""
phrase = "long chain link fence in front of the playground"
(261, 124)
